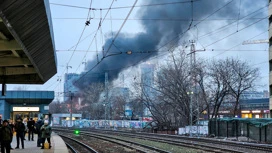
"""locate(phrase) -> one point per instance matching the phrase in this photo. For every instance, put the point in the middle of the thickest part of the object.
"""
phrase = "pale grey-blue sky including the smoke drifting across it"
(220, 27)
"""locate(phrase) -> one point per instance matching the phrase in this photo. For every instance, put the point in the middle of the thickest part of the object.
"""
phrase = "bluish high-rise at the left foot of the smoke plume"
(69, 79)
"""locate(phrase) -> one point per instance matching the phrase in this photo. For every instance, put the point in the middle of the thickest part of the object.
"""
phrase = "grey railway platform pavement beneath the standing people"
(58, 145)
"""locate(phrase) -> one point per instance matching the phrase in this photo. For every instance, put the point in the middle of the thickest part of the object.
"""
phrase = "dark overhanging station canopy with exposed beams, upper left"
(27, 52)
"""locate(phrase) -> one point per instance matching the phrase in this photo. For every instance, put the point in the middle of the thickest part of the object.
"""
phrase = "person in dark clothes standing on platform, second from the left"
(20, 129)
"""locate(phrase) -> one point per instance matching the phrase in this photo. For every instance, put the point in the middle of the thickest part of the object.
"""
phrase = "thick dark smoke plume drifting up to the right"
(157, 33)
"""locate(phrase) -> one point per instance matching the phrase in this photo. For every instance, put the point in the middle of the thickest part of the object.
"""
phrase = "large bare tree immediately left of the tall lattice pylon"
(168, 100)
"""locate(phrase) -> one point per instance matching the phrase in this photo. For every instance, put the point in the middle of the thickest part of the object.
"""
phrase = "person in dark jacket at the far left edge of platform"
(6, 137)
